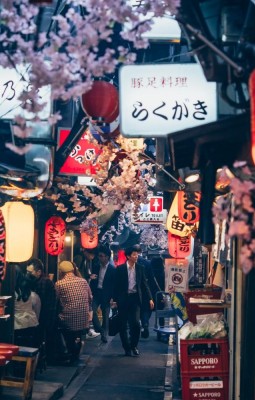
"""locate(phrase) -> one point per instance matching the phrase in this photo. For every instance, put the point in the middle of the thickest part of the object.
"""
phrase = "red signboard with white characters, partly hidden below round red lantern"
(81, 160)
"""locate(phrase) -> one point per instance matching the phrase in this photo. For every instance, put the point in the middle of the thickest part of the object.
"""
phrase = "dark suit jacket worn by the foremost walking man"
(121, 284)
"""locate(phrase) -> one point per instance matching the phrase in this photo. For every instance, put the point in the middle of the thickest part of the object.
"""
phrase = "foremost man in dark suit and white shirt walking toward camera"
(131, 289)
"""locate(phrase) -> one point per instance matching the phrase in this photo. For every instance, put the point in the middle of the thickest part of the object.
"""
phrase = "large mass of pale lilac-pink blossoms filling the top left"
(80, 45)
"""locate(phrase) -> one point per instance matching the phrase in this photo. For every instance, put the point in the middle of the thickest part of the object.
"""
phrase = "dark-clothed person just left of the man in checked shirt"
(45, 289)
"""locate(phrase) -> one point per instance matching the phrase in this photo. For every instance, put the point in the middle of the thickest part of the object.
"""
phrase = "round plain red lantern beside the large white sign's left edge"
(101, 102)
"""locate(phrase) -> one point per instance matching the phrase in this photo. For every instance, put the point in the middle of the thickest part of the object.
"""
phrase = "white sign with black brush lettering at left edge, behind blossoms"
(12, 83)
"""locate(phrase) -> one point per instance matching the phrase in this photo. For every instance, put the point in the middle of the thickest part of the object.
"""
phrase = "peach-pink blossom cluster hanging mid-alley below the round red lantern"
(122, 182)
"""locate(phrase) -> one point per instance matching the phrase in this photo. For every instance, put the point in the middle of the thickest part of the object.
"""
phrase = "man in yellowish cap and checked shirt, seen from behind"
(74, 301)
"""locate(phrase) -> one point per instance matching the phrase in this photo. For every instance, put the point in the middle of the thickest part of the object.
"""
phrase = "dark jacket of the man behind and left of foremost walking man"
(108, 282)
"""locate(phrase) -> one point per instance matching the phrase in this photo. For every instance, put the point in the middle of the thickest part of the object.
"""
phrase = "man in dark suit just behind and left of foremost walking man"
(102, 285)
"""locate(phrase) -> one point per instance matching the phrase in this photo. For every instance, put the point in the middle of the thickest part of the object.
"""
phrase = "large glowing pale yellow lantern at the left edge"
(19, 227)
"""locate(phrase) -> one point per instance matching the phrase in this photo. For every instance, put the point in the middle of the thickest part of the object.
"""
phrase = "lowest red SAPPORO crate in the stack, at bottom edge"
(205, 387)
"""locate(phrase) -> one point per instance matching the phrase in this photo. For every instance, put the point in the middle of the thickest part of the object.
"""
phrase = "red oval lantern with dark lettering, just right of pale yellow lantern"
(55, 231)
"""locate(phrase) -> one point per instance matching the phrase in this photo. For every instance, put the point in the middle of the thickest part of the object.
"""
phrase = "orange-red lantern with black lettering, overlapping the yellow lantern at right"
(188, 206)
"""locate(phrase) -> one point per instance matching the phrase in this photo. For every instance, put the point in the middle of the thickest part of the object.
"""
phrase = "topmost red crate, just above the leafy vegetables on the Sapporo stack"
(207, 293)
